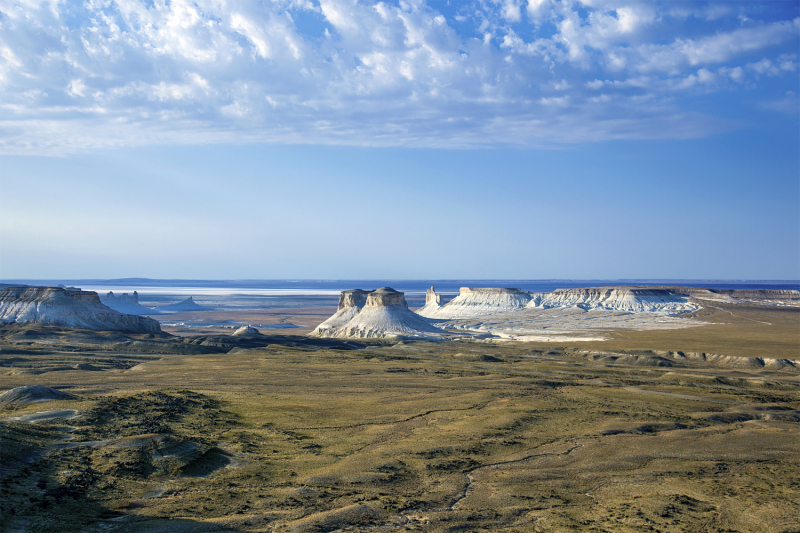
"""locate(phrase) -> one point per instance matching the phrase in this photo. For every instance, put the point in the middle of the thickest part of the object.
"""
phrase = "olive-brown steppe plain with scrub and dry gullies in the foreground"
(205, 432)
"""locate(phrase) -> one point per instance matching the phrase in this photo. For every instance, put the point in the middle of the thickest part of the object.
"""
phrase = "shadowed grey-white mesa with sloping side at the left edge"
(67, 307)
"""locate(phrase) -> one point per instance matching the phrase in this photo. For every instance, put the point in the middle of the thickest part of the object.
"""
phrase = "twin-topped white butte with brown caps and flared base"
(384, 314)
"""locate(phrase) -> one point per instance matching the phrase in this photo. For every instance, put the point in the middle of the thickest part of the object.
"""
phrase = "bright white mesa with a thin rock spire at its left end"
(472, 302)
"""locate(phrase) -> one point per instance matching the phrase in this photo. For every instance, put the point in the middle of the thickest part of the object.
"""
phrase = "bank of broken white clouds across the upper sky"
(82, 75)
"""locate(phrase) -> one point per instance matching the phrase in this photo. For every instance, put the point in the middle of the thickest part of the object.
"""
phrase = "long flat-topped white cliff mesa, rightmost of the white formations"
(628, 299)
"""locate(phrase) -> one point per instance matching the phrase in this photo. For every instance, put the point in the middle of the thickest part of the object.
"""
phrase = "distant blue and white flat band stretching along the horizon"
(277, 294)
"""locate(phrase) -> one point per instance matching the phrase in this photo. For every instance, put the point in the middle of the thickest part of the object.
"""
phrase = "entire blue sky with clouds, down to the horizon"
(341, 139)
